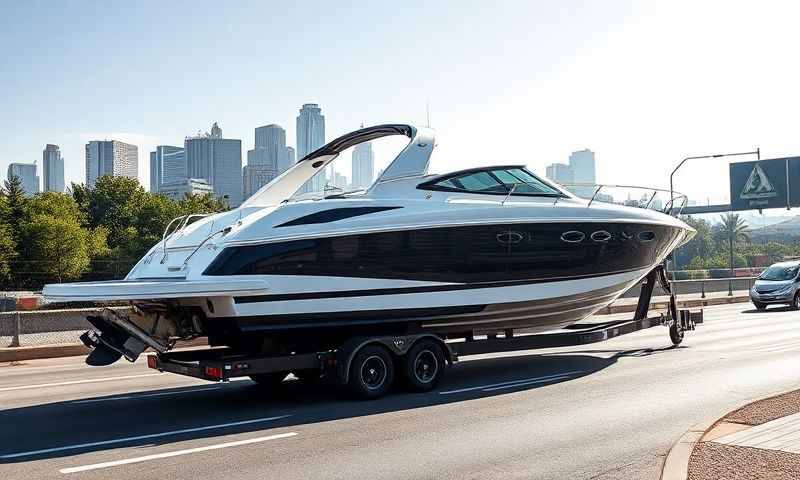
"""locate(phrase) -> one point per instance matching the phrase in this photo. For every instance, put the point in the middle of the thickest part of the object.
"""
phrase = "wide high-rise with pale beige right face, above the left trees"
(111, 157)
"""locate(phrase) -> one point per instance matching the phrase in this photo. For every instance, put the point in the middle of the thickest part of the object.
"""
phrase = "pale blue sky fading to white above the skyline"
(642, 84)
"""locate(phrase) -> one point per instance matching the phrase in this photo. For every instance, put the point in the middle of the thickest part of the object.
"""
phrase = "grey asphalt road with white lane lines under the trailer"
(609, 410)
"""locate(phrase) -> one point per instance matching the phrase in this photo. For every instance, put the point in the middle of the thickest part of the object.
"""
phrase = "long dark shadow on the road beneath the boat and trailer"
(97, 424)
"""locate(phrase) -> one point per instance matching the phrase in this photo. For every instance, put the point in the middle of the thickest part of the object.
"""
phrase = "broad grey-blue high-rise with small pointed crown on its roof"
(218, 161)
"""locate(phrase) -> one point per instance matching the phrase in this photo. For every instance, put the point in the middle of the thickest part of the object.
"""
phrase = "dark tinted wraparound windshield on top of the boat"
(496, 181)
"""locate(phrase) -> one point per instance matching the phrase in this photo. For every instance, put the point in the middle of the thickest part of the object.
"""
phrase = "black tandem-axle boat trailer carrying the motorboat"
(415, 352)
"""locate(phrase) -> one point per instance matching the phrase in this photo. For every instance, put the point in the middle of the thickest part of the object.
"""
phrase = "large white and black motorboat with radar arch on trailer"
(466, 253)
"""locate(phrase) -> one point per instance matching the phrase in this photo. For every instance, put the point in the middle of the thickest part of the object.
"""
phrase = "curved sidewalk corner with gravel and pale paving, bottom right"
(758, 441)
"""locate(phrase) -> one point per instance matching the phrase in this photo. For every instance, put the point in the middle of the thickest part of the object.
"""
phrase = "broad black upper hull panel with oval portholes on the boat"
(466, 255)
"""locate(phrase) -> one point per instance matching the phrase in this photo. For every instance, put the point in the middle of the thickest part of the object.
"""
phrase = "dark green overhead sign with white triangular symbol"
(773, 183)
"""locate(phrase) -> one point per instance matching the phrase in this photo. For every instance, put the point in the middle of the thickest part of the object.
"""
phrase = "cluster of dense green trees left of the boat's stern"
(86, 233)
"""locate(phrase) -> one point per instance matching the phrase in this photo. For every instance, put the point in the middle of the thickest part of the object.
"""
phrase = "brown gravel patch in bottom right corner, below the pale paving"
(715, 461)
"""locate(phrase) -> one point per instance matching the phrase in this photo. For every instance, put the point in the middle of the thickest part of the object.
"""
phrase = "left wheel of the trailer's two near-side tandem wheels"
(371, 372)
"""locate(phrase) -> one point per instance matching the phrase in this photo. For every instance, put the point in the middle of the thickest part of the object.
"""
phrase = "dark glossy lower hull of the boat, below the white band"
(534, 314)
